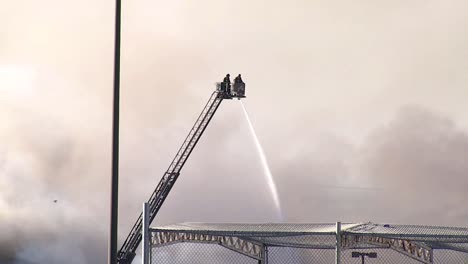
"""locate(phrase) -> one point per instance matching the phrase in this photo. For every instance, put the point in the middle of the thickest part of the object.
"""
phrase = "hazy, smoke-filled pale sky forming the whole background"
(360, 106)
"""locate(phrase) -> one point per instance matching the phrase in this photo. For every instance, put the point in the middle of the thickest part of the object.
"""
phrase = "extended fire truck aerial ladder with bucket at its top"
(224, 90)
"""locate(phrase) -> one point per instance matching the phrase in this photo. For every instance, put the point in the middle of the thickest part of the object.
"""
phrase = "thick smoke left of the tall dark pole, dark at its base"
(48, 183)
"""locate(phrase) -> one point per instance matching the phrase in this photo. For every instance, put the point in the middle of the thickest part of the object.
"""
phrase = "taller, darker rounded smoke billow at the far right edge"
(418, 160)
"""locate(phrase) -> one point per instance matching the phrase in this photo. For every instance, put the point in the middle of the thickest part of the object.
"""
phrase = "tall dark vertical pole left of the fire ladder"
(115, 142)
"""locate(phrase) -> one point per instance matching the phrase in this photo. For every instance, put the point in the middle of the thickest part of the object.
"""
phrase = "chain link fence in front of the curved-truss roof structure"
(311, 243)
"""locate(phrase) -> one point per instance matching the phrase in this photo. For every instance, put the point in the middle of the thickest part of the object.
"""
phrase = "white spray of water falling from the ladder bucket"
(266, 168)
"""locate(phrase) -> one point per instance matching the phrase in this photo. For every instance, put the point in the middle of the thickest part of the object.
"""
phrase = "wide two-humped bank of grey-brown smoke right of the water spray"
(411, 170)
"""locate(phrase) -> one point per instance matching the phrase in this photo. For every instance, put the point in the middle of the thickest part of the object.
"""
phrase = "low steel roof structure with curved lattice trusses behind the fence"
(419, 243)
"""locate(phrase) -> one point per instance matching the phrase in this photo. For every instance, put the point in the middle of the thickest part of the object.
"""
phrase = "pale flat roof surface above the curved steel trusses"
(323, 235)
